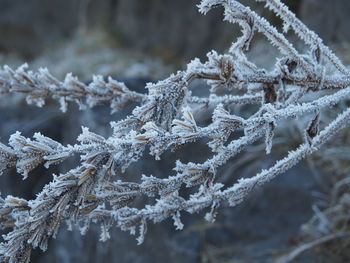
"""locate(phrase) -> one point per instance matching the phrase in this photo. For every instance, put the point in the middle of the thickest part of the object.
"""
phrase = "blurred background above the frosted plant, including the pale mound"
(134, 31)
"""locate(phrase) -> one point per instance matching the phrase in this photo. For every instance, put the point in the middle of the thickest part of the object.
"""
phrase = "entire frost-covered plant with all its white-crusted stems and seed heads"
(300, 86)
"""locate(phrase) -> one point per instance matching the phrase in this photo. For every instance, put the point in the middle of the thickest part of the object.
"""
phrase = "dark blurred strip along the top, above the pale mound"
(168, 28)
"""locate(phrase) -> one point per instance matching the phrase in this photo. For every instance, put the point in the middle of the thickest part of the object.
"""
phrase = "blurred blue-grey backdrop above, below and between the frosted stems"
(139, 41)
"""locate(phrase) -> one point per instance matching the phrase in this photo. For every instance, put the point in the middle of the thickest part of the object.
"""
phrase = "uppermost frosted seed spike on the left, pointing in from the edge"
(41, 84)
